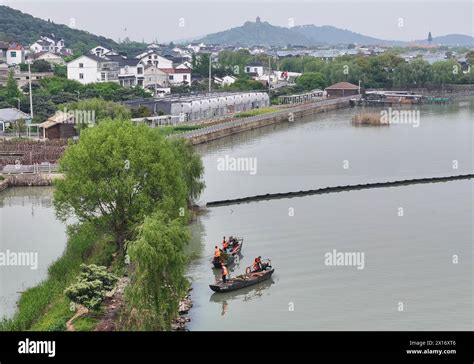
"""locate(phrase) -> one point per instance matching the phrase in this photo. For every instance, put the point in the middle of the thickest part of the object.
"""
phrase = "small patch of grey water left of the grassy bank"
(27, 226)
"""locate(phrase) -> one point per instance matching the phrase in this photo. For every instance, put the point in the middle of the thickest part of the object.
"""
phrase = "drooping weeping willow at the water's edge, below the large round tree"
(158, 281)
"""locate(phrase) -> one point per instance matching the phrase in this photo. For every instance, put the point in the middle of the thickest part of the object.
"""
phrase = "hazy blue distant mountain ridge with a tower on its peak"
(265, 34)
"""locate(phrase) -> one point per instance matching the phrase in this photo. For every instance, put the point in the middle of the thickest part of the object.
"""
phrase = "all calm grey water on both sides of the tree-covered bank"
(416, 240)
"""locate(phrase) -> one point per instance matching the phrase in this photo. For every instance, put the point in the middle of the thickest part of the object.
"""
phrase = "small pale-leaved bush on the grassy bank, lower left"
(92, 284)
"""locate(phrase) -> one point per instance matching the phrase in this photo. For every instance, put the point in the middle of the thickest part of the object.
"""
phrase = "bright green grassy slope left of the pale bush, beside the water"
(44, 307)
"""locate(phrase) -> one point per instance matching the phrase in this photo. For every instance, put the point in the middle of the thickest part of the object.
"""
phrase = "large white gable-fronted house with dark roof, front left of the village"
(90, 68)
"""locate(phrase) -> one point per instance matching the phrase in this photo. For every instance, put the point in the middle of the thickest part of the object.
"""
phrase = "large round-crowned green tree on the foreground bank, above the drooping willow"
(119, 173)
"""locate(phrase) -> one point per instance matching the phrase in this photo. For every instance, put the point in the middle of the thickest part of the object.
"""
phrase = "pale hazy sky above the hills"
(184, 19)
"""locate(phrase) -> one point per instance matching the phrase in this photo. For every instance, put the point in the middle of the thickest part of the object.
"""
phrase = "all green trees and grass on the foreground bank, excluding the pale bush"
(130, 189)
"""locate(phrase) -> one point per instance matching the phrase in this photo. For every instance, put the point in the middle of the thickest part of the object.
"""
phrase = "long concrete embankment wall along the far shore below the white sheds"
(207, 134)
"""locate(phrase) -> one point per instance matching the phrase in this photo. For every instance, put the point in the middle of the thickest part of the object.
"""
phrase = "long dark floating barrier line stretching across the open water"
(320, 191)
